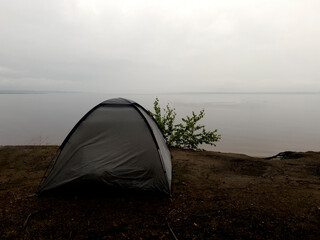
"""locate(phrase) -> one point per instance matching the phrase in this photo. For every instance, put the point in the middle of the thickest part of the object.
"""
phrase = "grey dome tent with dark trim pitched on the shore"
(117, 144)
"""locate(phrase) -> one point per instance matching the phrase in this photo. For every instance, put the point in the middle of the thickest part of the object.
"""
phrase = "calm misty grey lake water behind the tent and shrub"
(254, 124)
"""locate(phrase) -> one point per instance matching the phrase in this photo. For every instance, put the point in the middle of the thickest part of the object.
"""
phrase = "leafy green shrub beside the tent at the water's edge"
(188, 134)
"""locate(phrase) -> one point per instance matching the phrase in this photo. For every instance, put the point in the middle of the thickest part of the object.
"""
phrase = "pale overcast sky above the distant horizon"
(160, 46)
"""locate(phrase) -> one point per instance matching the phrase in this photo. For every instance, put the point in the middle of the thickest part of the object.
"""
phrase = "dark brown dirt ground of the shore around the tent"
(215, 196)
